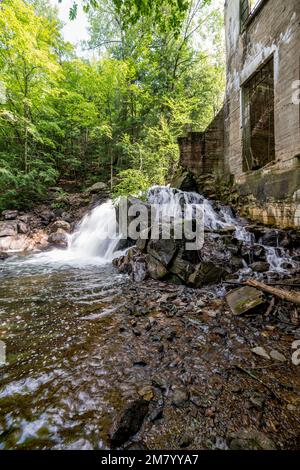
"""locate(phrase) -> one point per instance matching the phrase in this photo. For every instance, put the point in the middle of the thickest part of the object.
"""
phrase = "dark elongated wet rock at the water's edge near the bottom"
(128, 422)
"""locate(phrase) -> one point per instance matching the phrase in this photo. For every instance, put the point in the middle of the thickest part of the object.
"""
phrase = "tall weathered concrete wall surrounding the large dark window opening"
(273, 31)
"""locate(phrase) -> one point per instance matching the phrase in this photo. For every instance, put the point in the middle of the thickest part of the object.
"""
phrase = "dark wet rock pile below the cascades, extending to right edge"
(222, 255)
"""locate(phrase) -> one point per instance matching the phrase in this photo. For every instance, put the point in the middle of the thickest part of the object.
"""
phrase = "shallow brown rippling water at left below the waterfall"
(54, 386)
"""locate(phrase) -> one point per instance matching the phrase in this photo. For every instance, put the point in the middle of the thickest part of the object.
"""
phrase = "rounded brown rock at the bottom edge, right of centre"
(248, 439)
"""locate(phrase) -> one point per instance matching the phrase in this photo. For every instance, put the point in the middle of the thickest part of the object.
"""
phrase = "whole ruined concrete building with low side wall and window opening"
(255, 140)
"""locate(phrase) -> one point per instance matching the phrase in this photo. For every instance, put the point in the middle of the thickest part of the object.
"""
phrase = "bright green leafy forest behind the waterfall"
(113, 115)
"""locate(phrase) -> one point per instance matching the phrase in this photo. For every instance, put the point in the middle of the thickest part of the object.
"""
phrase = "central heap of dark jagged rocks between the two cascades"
(170, 260)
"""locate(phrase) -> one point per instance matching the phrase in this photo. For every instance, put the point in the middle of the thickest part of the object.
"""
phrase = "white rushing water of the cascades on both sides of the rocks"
(95, 239)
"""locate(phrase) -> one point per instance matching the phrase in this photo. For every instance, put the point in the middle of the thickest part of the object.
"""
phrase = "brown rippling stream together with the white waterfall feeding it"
(60, 316)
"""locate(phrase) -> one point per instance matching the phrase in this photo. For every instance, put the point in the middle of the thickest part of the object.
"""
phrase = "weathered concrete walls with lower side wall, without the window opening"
(269, 194)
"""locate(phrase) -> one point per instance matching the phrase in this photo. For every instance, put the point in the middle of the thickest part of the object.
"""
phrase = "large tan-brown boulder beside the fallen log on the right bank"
(246, 300)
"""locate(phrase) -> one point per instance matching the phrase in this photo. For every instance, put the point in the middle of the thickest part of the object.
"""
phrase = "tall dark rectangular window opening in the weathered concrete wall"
(258, 119)
